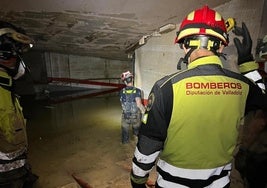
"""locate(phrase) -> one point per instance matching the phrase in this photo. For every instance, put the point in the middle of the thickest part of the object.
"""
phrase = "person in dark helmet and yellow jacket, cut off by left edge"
(15, 171)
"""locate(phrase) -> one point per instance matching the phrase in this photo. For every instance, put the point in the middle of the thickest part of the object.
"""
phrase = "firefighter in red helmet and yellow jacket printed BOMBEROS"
(191, 124)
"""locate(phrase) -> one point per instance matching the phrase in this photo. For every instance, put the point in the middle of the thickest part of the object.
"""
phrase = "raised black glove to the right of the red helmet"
(244, 47)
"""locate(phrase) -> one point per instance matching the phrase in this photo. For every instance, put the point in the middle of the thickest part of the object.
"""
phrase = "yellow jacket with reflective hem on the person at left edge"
(13, 138)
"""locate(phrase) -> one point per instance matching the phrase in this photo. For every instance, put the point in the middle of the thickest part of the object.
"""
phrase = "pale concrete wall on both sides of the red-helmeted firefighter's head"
(159, 56)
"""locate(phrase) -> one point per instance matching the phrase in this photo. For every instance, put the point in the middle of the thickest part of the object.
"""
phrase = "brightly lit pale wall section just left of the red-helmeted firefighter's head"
(158, 57)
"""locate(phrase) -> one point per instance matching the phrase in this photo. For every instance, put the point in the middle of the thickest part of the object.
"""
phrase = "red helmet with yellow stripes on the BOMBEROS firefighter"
(204, 21)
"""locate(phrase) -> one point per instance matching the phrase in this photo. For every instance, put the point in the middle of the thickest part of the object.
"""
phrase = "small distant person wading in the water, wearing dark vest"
(132, 107)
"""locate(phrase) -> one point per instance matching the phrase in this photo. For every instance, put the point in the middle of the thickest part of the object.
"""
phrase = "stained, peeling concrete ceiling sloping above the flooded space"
(99, 28)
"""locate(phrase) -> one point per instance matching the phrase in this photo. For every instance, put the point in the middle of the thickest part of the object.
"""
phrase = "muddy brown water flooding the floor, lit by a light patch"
(81, 137)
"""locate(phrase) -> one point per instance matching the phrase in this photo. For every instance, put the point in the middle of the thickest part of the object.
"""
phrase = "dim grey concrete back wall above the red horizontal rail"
(84, 67)
